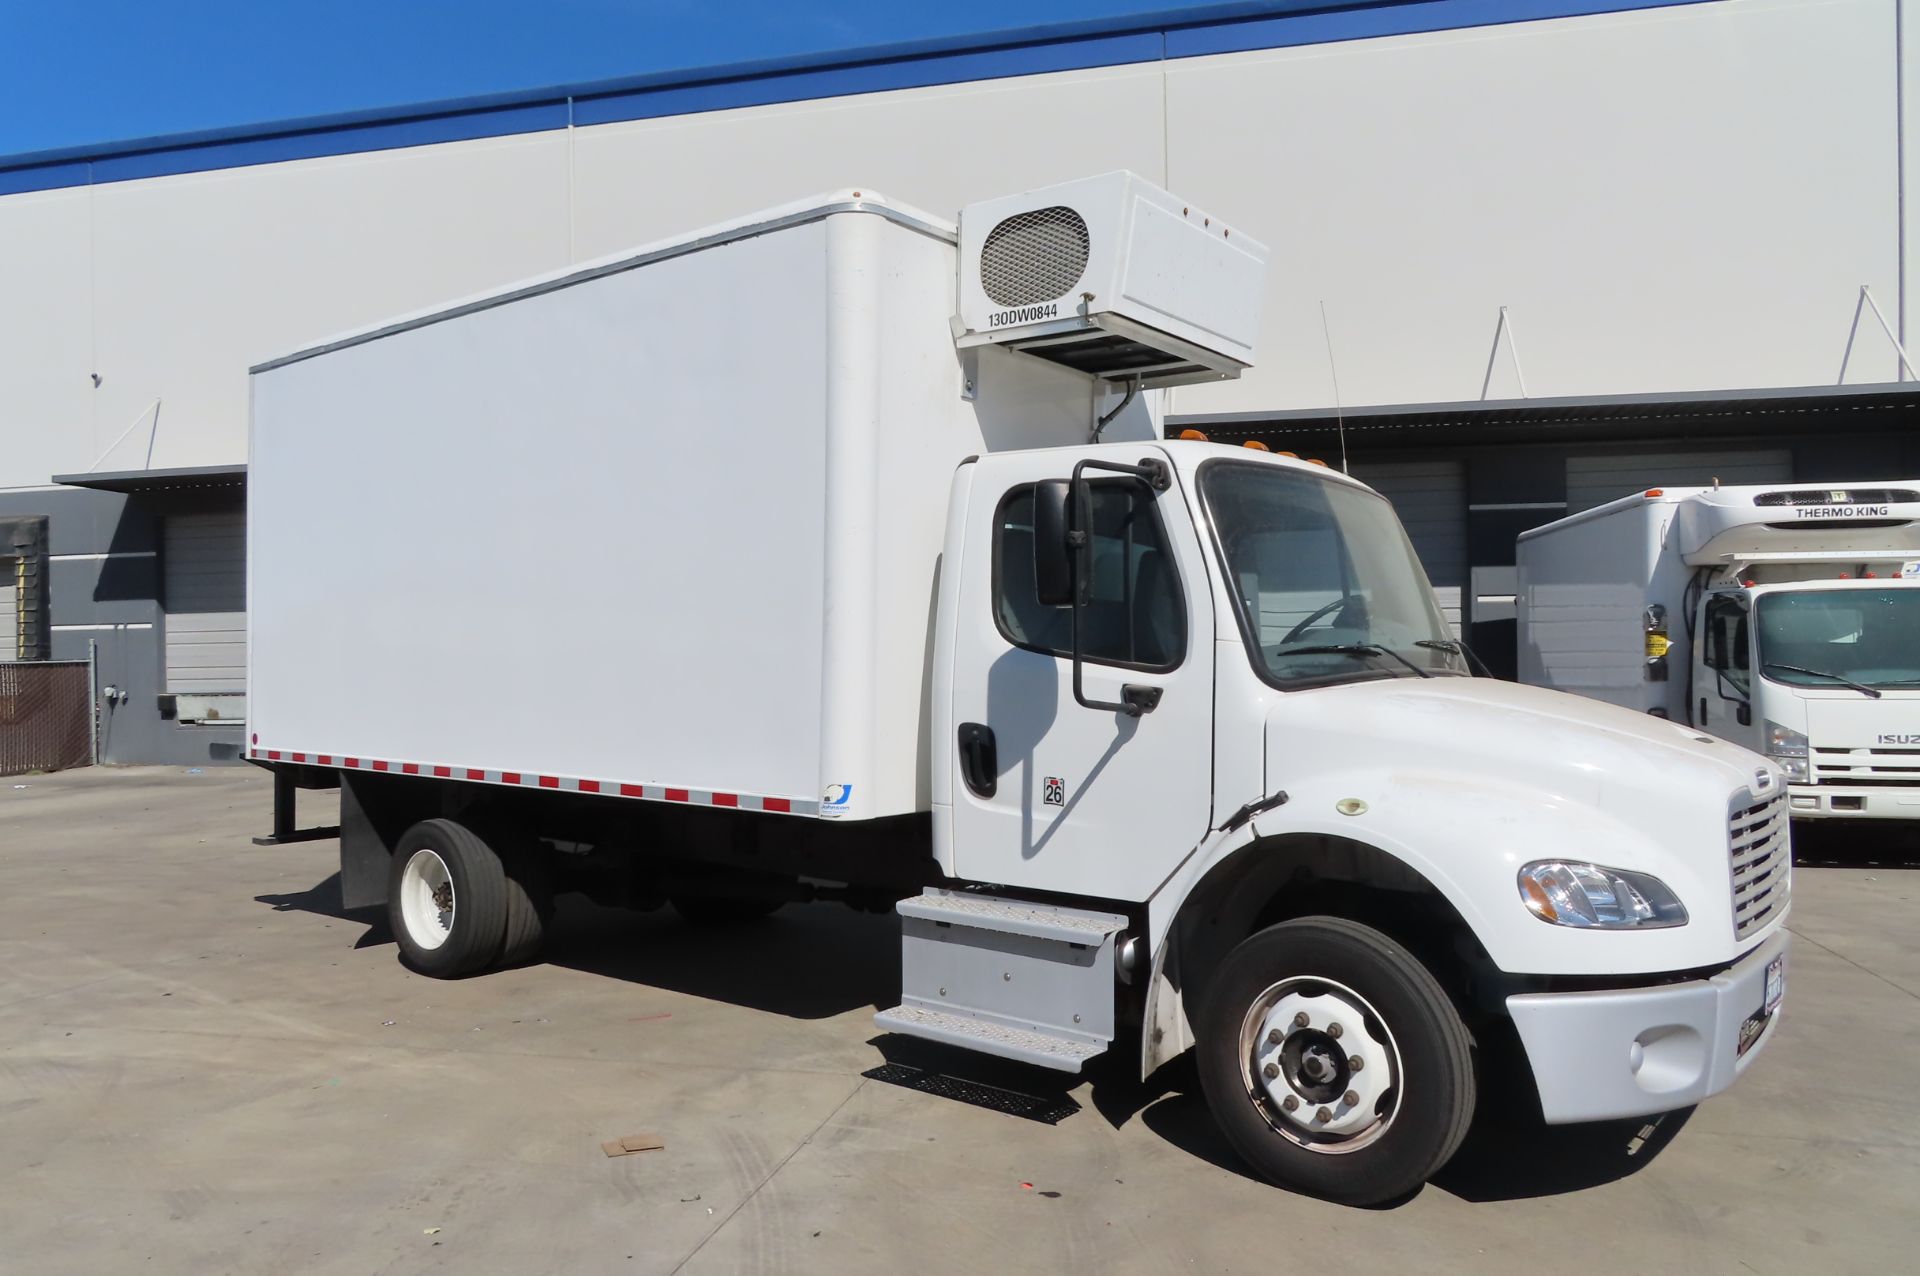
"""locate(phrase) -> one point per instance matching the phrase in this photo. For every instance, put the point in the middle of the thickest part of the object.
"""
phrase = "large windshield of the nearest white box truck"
(1328, 584)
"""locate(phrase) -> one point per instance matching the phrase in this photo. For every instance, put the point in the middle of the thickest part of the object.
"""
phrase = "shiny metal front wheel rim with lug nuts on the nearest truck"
(1368, 1039)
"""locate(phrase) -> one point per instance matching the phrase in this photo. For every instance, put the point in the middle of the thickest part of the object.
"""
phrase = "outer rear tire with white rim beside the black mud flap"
(448, 901)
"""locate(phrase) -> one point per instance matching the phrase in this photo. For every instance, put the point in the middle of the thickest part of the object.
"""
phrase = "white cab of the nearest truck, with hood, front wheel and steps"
(1212, 688)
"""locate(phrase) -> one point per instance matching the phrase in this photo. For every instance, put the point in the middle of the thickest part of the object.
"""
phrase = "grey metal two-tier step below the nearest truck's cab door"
(1007, 978)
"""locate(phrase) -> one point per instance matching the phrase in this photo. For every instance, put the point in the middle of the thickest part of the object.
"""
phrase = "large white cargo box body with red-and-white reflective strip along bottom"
(665, 521)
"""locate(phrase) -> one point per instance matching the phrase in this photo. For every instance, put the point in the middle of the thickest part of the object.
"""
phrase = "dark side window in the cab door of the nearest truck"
(1136, 613)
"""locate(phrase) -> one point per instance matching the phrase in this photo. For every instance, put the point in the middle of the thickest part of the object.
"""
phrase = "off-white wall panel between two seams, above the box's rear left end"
(203, 275)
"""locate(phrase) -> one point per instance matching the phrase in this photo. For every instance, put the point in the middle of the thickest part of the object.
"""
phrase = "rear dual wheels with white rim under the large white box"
(460, 905)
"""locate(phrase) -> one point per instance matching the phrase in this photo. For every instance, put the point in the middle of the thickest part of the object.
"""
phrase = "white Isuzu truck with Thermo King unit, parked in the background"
(1785, 619)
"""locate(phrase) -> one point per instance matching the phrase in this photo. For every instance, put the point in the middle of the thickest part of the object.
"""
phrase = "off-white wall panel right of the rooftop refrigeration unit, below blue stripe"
(1668, 201)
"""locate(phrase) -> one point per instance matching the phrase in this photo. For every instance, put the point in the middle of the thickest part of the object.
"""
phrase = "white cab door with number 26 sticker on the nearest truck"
(1076, 799)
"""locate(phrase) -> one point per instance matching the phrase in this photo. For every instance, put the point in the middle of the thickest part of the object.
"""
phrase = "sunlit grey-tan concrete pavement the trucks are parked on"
(206, 1068)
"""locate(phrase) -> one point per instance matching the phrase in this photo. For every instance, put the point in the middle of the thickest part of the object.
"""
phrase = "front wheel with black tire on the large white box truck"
(1356, 1137)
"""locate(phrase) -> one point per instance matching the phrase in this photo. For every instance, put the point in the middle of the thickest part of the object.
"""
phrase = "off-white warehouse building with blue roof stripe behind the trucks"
(1527, 256)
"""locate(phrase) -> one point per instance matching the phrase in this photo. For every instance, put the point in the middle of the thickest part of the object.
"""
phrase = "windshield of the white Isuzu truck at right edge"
(1867, 636)
